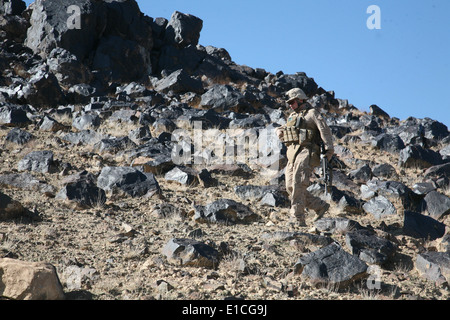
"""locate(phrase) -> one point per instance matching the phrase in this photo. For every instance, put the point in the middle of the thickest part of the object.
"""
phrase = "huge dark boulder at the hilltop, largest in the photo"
(113, 37)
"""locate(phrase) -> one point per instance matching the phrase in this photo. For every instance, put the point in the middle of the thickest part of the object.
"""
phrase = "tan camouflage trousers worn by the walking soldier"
(297, 177)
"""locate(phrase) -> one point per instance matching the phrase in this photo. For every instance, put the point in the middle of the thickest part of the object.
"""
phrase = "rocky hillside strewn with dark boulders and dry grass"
(137, 163)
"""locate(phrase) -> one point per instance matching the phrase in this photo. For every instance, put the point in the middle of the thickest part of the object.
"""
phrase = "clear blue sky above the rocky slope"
(403, 67)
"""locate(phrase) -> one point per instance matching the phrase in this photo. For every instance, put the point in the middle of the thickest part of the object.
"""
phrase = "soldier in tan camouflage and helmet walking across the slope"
(303, 134)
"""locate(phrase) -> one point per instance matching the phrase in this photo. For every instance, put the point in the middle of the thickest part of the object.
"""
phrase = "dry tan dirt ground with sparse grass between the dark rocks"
(114, 251)
